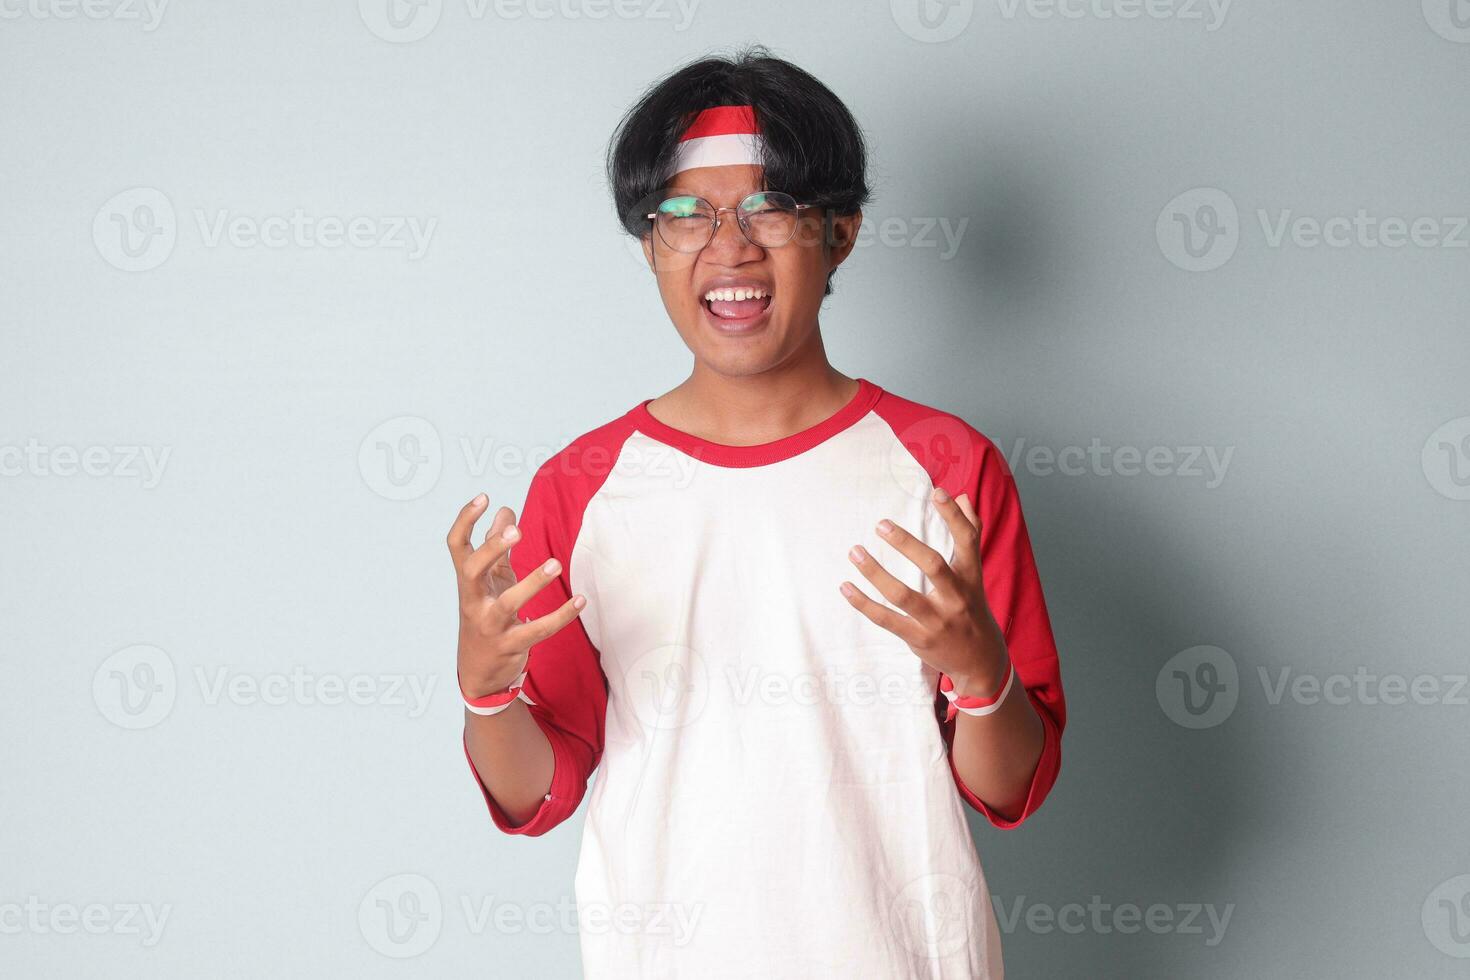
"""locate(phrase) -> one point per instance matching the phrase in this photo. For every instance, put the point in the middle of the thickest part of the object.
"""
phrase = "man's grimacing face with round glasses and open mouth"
(756, 336)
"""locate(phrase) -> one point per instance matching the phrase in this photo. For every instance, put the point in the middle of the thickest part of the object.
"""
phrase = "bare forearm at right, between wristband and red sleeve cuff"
(997, 754)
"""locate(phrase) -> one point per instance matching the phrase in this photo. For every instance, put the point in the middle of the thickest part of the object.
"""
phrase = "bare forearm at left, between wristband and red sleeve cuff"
(514, 759)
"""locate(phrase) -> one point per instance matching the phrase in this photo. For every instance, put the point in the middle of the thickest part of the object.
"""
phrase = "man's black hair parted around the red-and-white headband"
(814, 146)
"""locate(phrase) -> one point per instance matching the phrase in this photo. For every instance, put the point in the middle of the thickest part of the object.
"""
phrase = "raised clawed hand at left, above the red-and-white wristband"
(495, 643)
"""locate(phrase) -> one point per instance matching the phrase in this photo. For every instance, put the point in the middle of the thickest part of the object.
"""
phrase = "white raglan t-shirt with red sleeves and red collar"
(774, 794)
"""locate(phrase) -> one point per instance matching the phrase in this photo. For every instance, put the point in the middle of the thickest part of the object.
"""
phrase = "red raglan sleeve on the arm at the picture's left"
(564, 674)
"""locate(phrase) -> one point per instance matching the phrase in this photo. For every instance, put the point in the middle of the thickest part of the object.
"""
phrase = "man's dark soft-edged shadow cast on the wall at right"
(1146, 812)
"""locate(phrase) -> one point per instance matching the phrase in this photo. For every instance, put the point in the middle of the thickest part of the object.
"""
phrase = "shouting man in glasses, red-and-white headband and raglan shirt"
(784, 754)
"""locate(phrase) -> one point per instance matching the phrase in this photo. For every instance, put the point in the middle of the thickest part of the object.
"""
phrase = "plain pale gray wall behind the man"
(326, 411)
